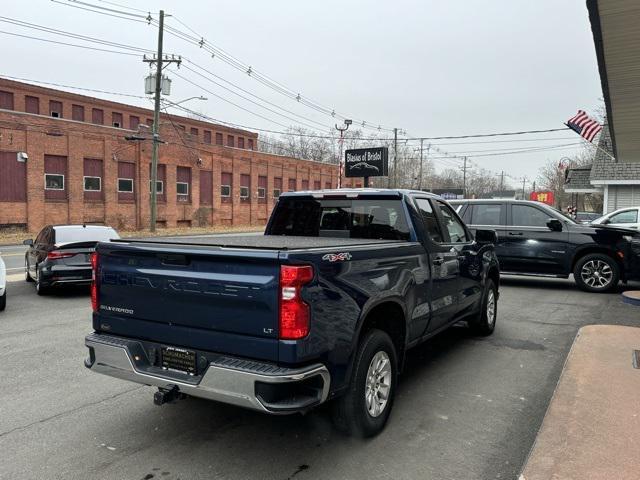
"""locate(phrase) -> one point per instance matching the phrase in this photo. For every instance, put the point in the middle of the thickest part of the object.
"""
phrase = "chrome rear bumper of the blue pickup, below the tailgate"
(227, 379)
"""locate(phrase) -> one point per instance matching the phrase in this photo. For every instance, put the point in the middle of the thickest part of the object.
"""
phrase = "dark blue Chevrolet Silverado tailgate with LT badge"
(215, 299)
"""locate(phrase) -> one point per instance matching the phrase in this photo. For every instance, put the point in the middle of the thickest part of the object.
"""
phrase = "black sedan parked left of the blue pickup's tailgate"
(60, 255)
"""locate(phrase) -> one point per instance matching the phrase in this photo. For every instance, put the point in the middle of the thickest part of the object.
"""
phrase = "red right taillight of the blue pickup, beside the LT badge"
(294, 312)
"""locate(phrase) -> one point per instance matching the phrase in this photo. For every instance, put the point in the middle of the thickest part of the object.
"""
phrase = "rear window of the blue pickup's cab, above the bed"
(371, 219)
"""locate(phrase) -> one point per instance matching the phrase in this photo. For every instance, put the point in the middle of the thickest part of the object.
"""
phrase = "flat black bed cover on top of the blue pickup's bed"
(269, 242)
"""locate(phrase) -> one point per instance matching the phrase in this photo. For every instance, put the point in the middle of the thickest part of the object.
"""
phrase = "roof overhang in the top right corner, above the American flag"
(616, 36)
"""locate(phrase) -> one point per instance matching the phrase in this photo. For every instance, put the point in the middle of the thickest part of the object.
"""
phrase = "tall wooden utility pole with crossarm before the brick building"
(159, 61)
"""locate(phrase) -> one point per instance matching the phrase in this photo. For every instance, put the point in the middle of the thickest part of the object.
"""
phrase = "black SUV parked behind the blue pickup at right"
(535, 239)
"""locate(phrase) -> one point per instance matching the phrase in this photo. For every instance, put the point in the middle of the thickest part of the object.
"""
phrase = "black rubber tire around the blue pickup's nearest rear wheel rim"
(350, 412)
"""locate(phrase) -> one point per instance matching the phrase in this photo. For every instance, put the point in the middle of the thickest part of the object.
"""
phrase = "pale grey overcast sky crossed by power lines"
(433, 68)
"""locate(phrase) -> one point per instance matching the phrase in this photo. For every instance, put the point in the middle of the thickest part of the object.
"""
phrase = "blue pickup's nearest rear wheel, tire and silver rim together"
(363, 411)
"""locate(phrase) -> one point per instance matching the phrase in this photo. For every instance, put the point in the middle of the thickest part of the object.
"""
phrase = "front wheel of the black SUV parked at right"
(596, 272)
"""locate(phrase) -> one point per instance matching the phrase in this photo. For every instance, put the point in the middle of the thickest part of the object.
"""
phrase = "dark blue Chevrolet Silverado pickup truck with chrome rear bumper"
(322, 307)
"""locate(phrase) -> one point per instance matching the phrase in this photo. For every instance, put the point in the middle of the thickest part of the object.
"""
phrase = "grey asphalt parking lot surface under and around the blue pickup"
(467, 408)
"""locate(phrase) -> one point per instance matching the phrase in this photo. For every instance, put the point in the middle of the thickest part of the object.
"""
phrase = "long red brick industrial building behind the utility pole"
(64, 159)
